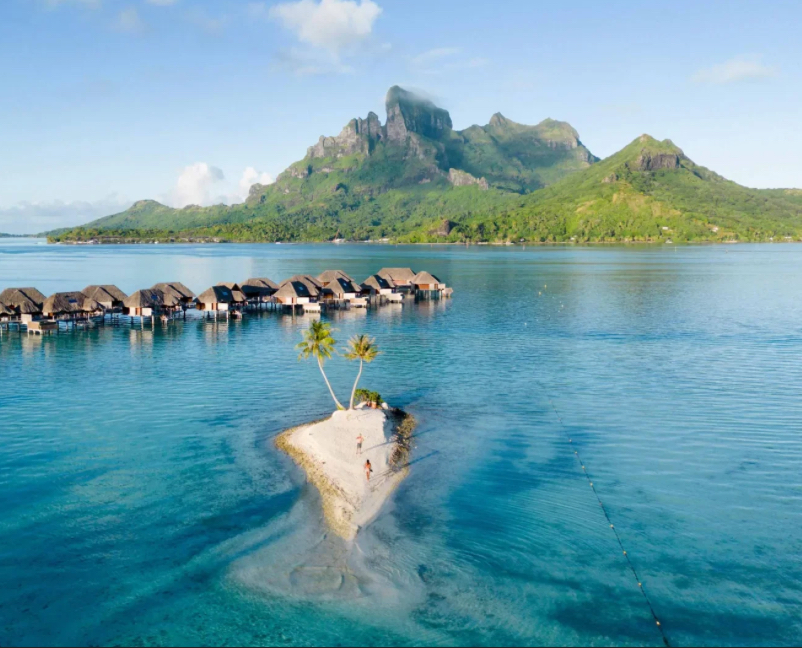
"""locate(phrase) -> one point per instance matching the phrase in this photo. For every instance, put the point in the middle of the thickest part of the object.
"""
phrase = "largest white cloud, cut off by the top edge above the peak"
(333, 25)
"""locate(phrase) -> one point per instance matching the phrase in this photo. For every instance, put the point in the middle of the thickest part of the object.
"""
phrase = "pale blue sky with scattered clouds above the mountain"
(105, 102)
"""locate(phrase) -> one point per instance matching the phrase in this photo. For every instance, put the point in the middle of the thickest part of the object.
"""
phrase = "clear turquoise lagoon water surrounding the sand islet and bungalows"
(142, 502)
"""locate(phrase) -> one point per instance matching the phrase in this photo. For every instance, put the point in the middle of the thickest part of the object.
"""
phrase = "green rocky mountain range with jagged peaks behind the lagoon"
(417, 179)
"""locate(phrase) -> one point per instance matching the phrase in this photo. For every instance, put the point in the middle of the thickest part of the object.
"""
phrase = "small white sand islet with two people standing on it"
(326, 450)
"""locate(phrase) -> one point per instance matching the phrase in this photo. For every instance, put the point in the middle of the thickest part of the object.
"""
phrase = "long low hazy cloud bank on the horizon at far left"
(36, 217)
